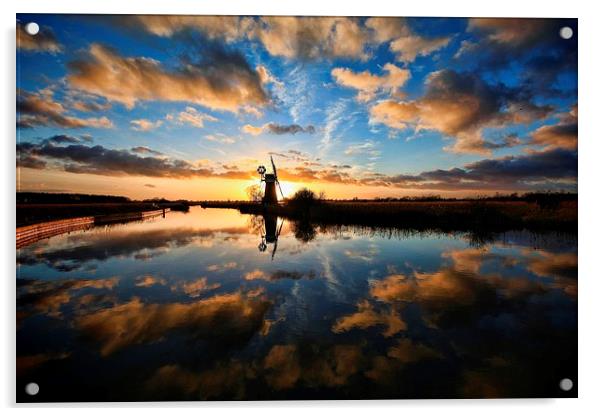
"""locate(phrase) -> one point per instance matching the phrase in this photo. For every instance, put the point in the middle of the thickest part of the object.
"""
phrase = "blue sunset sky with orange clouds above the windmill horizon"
(187, 107)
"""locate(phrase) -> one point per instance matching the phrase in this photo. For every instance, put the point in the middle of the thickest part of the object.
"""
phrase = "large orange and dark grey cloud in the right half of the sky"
(460, 105)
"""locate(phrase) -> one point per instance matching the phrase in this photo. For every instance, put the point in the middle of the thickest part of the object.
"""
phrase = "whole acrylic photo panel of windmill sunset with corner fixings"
(289, 208)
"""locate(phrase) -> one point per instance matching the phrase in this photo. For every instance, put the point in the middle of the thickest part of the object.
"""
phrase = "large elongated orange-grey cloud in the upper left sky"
(222, 80)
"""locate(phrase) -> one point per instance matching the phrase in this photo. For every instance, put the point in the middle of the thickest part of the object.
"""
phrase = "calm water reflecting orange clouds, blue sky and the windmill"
(217, 305)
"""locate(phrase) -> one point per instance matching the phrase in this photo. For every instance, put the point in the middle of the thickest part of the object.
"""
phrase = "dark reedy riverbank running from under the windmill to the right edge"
(464, 215)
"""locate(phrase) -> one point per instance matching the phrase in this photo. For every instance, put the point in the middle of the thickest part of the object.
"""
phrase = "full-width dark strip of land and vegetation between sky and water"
(546, 211)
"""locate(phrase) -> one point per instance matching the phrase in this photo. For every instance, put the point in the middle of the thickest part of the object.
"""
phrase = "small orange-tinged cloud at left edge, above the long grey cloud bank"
(40, 109)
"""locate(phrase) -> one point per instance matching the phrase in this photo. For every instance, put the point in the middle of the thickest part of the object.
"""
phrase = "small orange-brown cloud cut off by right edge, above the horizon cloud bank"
(561, 135)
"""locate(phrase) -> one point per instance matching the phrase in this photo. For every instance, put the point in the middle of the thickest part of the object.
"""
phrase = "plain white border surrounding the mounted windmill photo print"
(590, 201)
